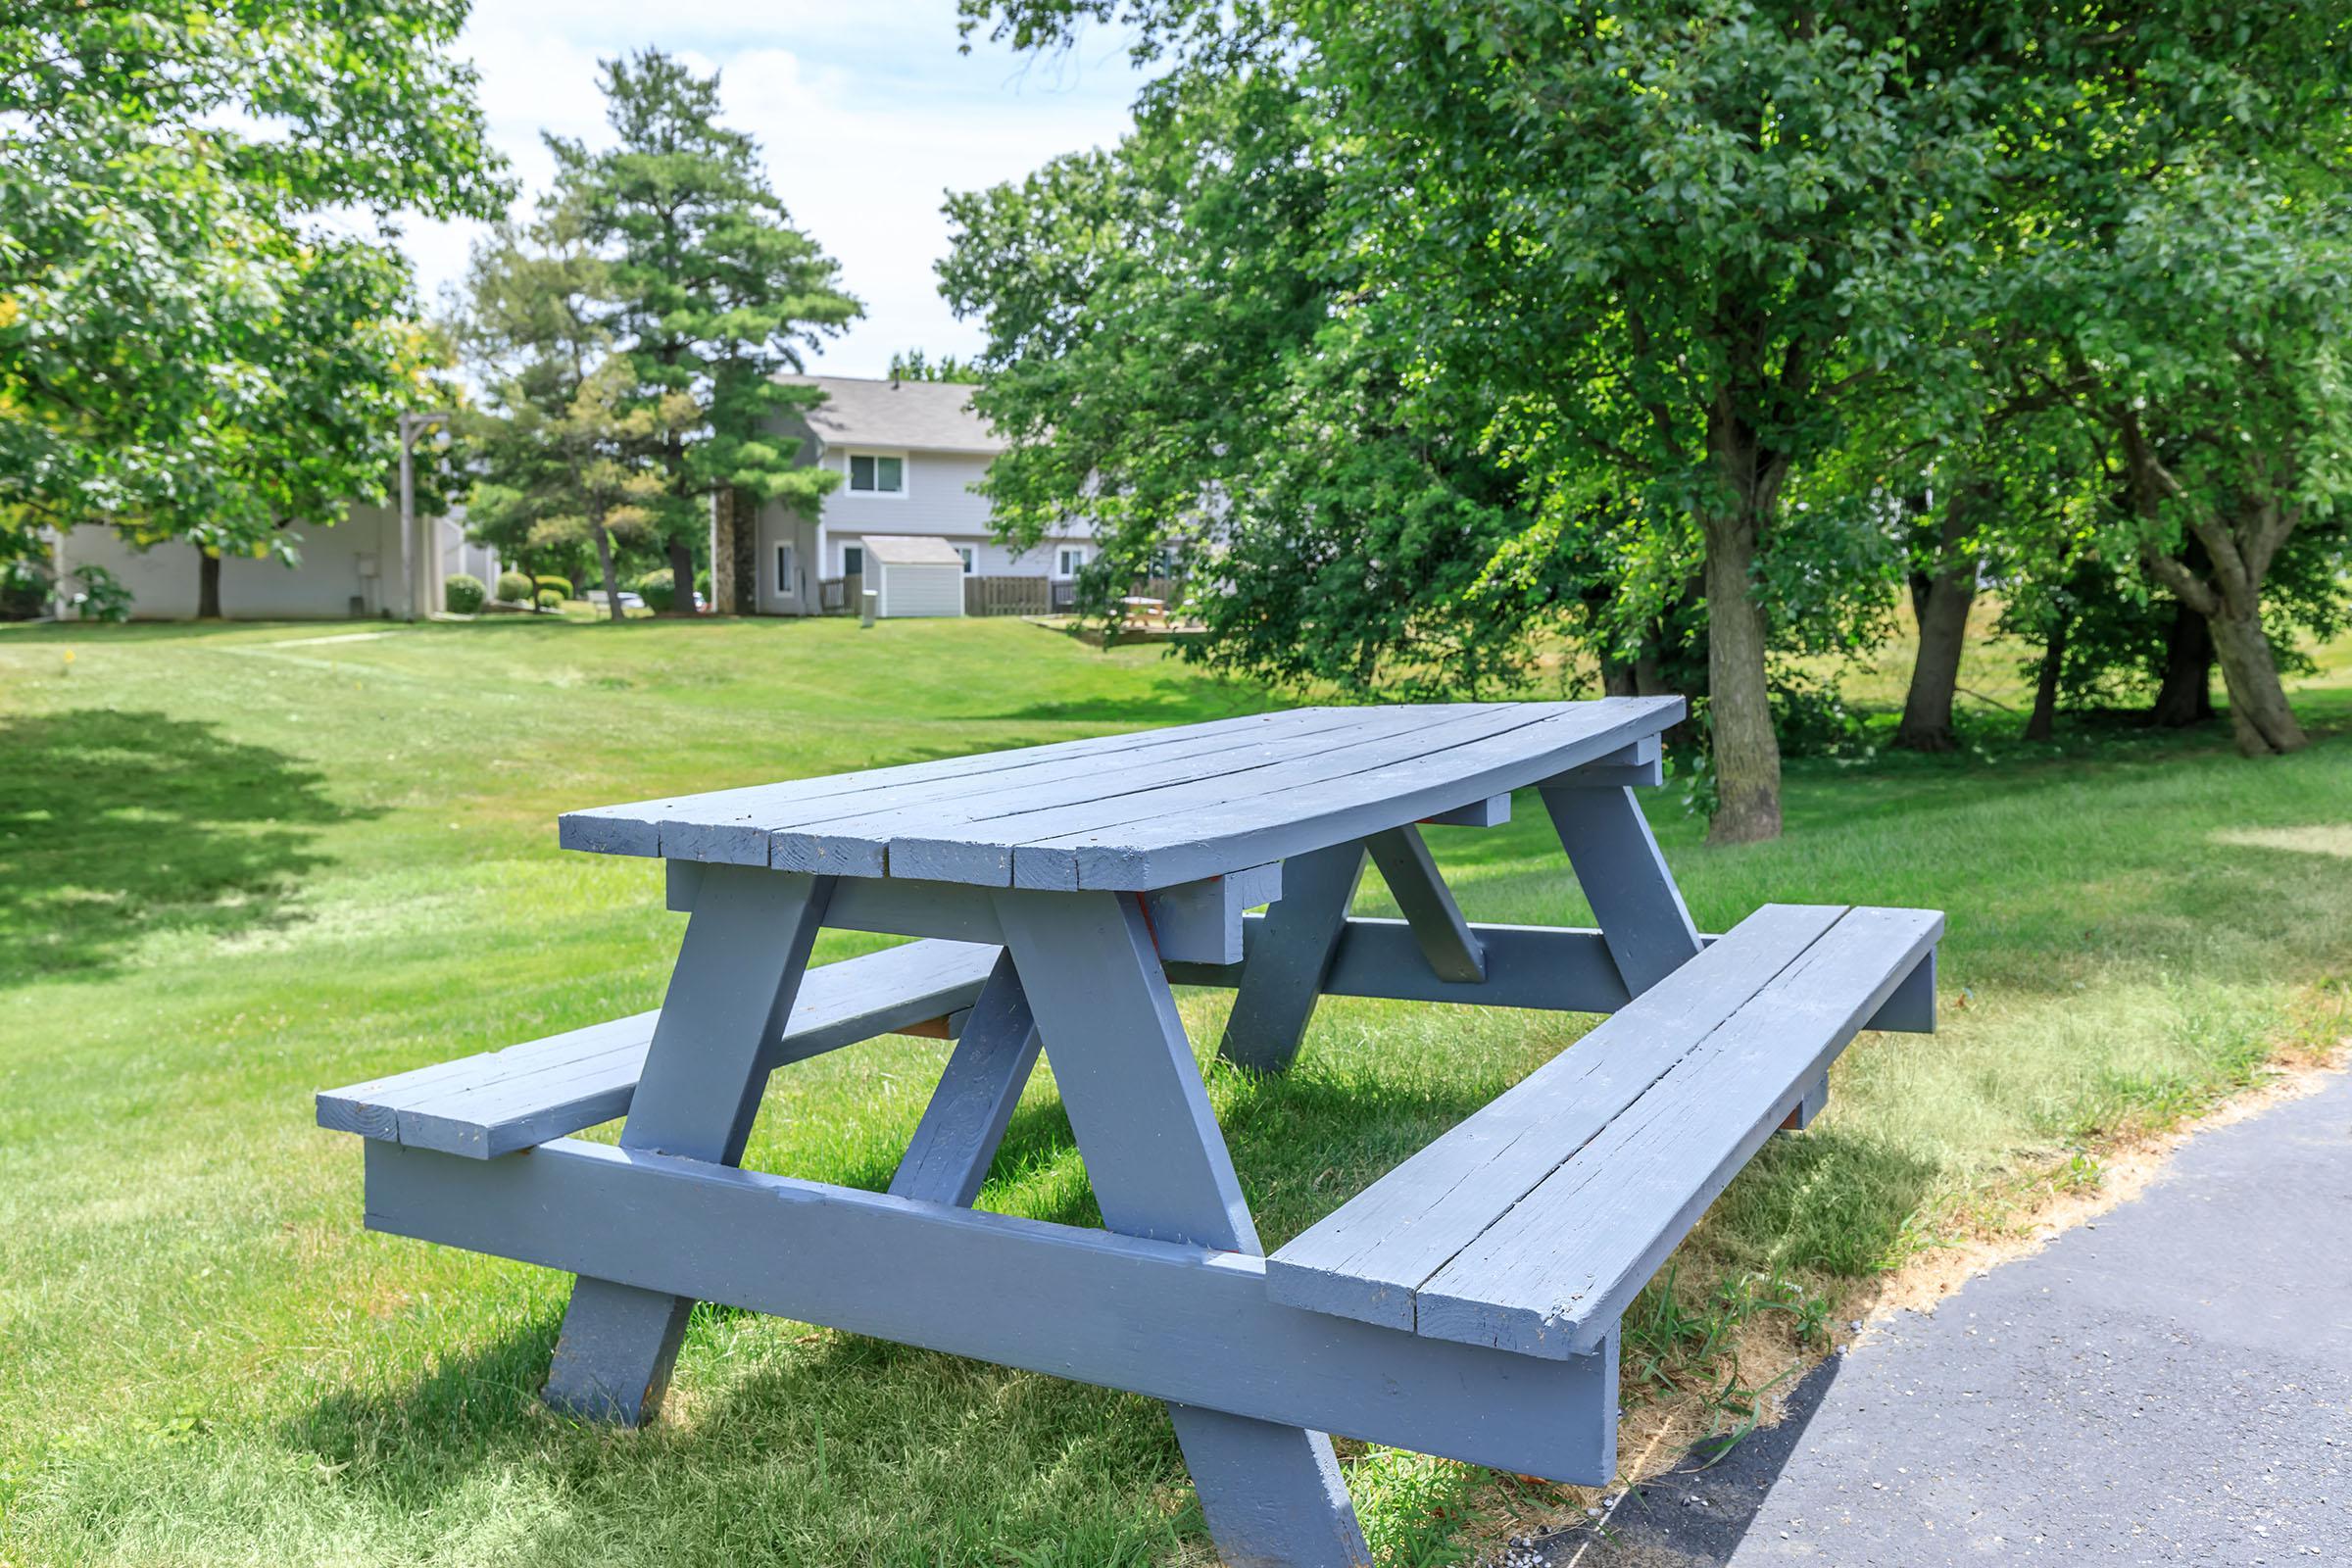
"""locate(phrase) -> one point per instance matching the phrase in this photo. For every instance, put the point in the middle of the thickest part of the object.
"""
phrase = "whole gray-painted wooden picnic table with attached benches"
(1464, 1306)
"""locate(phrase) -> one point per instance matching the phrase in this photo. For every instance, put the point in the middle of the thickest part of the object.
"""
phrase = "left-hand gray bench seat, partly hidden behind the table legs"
(502, 1101)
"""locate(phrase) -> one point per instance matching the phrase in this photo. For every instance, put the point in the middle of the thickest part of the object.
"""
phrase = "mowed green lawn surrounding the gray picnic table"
(243, 864)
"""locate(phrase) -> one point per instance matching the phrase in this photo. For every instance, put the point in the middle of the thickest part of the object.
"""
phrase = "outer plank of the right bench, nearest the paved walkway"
(1553, 1275)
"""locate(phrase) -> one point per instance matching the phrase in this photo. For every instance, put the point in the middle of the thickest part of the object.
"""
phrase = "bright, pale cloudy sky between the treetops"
(867, 116)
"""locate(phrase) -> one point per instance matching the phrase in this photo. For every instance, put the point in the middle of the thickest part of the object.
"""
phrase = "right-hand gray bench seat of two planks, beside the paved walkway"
(1535, 1224)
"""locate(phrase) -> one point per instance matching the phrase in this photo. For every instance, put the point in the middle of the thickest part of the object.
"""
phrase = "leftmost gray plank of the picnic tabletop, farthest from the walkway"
(636, 829)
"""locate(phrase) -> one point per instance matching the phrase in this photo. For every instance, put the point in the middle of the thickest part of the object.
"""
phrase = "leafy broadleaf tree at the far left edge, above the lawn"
(194, 342)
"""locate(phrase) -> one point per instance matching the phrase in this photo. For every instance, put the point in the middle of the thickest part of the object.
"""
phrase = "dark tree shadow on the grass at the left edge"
(121, 826)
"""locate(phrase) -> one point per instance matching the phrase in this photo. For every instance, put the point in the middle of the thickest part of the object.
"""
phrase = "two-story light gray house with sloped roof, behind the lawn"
(909, 455)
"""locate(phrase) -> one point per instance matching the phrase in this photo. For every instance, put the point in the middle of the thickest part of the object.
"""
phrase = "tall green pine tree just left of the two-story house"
(711, 295)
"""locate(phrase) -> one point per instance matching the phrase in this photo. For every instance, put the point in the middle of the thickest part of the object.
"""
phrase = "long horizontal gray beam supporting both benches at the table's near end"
(1156, 1318)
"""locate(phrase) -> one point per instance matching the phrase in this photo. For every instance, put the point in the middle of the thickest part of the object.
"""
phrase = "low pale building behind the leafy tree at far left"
(342, 572)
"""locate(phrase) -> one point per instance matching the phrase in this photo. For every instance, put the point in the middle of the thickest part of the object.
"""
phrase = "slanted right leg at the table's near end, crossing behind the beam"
(1274, 1496)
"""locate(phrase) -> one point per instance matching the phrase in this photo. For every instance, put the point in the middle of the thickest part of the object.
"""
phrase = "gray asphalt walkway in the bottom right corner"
(2167, 1386)
